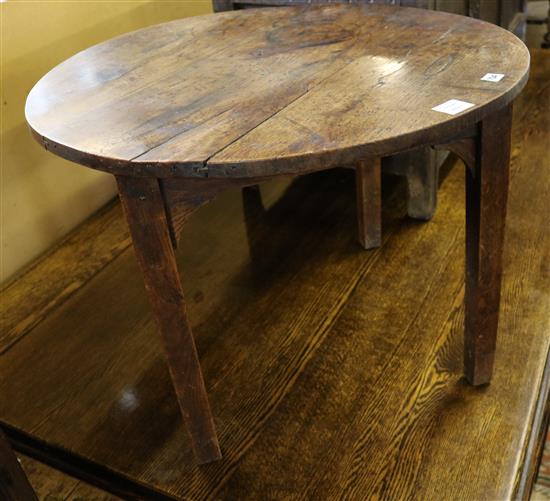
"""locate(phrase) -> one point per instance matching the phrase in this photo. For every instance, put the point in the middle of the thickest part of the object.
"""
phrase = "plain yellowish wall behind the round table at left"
(43, 196)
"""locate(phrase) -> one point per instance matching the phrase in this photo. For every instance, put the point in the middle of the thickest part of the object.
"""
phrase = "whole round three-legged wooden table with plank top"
(181, 111)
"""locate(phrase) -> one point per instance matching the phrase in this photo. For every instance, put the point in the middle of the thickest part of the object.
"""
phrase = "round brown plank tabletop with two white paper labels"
(275, 90)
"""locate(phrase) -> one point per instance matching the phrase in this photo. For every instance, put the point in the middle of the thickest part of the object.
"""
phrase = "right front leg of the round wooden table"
(486, 195)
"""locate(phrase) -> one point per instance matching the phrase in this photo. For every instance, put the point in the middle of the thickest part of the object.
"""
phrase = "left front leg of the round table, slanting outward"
(144, 209)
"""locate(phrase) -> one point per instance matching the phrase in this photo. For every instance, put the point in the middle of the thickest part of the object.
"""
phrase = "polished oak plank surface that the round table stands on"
(333, 372)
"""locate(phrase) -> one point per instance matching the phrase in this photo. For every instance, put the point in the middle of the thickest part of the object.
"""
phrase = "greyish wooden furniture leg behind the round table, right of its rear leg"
(422, 182)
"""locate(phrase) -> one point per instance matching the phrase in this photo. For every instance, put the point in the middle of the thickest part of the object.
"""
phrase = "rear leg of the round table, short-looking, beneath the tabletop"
(369, 204)
